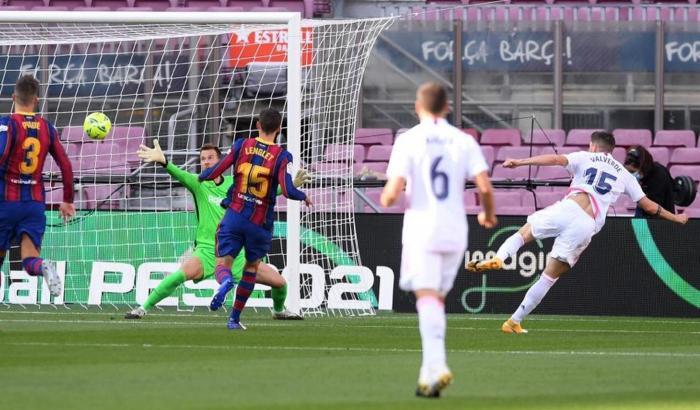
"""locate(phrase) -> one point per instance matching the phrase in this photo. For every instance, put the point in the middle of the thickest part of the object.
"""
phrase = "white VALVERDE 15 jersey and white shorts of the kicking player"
(603, 179)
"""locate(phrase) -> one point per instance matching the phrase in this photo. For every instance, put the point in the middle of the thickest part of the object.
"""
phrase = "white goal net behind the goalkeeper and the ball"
(187, 84)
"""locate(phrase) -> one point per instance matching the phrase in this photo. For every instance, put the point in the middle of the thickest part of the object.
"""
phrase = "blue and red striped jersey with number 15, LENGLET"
(259, 168)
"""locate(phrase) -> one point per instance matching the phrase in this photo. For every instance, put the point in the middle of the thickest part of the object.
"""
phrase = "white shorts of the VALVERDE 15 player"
(571, 225)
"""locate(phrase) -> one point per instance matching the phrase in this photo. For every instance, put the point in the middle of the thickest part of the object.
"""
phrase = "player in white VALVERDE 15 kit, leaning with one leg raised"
(598, 179)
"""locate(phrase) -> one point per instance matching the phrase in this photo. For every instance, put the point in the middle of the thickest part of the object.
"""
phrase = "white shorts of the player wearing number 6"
(423, 269)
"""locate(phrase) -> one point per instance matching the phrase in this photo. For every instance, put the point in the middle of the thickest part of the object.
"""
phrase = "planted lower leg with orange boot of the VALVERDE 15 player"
(554, 269)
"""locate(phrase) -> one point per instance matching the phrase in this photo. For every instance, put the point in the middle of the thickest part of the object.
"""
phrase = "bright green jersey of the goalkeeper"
(207, 201)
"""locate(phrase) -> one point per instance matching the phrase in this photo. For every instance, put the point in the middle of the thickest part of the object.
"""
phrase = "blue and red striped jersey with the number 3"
(25, 140)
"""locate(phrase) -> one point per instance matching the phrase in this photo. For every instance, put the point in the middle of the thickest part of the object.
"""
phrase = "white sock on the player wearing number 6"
(432, 323)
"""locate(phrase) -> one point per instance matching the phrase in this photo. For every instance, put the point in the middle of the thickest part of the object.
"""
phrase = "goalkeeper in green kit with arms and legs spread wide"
(202, 263)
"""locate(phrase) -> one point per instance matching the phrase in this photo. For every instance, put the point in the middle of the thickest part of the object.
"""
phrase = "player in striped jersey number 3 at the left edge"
(25, 140)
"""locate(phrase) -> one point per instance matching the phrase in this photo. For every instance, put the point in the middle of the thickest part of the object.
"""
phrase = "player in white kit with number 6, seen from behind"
(431, 161)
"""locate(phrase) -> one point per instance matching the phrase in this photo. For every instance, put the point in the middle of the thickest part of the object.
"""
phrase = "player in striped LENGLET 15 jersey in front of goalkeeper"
(259, 166)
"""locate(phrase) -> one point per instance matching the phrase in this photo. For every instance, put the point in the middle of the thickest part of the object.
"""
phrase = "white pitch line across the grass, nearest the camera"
(360, 349)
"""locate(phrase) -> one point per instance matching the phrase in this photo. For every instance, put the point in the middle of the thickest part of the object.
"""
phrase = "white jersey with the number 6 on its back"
(435, 158)
